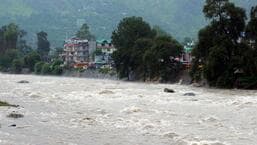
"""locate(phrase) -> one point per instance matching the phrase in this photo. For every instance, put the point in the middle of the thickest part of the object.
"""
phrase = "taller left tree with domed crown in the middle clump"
(124, 38)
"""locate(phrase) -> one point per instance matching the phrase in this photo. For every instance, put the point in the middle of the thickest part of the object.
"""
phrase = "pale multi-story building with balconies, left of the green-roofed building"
(76, 51)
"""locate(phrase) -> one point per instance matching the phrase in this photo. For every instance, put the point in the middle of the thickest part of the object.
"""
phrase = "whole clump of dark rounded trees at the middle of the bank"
(143, 55)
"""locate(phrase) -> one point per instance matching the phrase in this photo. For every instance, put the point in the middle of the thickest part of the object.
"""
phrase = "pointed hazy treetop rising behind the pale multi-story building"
(84, 33)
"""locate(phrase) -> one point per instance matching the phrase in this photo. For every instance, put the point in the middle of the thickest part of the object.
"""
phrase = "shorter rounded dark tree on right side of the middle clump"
(161, 60)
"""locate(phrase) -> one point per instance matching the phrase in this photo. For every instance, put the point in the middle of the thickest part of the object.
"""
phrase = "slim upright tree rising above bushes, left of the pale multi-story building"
(43, 45)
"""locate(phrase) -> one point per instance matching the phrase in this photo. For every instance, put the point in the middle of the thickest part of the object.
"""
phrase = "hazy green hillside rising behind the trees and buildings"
(62, 18)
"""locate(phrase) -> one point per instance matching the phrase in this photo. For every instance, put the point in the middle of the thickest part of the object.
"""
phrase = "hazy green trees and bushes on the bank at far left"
(16, 55)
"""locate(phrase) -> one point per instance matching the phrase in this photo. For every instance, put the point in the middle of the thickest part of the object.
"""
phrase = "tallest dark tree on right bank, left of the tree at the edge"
(219, 44)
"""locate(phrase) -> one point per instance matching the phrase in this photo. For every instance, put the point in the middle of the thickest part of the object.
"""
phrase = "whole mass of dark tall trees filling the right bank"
(225, 54)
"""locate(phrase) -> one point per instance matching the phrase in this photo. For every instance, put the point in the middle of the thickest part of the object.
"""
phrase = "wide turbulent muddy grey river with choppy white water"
(79, 111)
